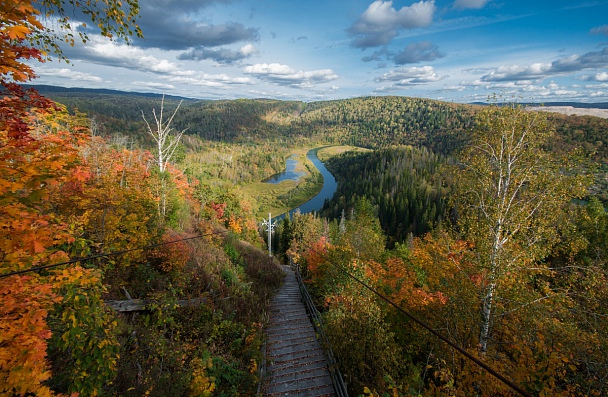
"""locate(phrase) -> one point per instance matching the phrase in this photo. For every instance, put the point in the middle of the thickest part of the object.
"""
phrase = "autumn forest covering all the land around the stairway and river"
(487, 223)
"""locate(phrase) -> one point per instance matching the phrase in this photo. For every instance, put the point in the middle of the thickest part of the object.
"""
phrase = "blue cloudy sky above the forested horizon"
(453, 50)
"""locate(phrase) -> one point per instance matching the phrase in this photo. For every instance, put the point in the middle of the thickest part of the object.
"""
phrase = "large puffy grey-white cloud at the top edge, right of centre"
(381, 22)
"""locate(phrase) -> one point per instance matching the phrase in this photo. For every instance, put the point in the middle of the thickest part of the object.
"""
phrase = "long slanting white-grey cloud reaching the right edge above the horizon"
(535, 71)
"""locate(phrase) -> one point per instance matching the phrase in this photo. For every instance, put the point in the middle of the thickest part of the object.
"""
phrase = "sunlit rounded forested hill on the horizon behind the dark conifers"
(381, 121)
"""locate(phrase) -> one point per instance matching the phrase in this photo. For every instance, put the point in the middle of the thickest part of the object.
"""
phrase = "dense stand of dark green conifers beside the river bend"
(403, 183)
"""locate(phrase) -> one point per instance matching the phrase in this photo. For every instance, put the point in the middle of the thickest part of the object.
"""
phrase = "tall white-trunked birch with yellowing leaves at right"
(509, 194)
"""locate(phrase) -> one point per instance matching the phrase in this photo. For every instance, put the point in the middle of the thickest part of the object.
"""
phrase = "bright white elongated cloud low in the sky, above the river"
(284, 75)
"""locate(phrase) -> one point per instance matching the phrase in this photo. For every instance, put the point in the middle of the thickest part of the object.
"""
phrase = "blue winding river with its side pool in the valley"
(315, 203)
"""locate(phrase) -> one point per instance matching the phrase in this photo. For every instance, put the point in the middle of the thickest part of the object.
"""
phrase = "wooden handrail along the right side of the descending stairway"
(334, 371)
